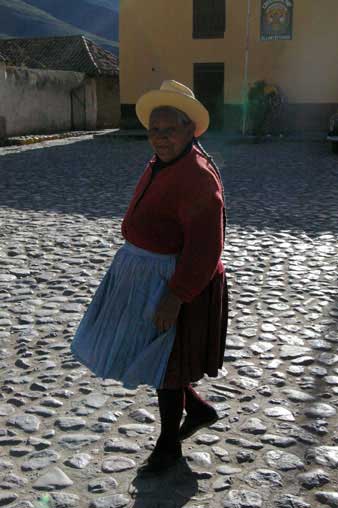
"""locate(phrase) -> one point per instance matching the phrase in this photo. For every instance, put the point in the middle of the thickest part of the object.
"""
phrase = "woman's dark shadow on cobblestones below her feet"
(170, 489)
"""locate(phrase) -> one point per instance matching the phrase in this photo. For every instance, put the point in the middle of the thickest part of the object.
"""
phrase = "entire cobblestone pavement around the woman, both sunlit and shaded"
(68, 439)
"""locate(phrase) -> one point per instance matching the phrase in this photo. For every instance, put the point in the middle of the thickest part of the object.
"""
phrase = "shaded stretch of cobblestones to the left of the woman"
(92, 178)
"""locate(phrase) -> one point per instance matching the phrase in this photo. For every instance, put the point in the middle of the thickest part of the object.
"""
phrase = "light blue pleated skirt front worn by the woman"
(116, 338)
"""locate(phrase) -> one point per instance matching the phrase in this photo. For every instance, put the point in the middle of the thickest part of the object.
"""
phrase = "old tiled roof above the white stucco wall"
(68, 53)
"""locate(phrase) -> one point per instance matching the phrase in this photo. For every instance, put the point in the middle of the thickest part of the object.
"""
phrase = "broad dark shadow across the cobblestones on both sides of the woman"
(270, 186)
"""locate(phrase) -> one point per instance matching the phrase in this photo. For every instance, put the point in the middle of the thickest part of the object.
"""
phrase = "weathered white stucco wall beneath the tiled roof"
(37, 101)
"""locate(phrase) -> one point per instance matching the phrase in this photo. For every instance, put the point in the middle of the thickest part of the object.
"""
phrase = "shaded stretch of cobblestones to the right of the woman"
(282, 187)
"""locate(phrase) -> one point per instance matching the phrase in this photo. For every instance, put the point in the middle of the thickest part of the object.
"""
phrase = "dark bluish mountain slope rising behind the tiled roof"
(19, 18)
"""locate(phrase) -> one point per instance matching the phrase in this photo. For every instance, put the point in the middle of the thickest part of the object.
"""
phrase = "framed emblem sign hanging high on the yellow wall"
(276, 20)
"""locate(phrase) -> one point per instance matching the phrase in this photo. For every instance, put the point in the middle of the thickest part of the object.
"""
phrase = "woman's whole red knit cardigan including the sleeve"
(180, 212)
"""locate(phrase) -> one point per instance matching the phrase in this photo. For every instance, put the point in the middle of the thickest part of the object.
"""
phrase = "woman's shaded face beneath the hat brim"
(167, 136)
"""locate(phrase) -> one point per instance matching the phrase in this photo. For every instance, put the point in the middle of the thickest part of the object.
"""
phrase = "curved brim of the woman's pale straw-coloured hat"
(190, 106)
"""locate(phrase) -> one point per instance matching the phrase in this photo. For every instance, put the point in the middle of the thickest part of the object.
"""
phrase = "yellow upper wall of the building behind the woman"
(156, 43)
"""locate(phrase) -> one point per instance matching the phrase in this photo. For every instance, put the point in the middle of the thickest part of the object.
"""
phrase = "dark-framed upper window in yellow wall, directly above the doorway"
(208, 19)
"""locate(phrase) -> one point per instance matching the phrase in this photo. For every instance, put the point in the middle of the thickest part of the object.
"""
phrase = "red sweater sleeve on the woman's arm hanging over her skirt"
(200, 214)
